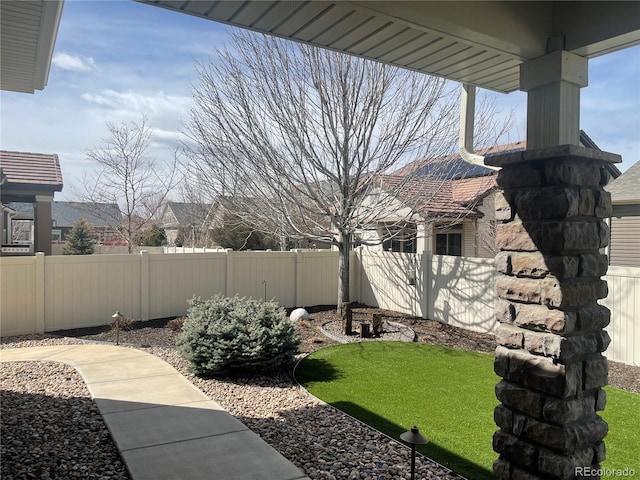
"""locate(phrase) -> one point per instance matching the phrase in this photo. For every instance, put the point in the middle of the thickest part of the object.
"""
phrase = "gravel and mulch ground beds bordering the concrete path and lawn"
(51, 428)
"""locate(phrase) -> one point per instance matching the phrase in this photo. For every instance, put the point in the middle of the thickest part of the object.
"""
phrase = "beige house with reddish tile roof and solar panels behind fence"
(444, 206)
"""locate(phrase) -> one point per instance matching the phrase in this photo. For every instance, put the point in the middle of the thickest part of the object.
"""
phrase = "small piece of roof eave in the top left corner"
(28, 35)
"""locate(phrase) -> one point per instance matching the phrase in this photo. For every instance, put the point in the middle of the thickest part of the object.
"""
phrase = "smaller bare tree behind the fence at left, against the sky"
(129, 177)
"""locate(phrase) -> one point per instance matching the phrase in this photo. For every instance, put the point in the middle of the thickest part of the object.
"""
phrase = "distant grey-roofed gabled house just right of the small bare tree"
(186, 224)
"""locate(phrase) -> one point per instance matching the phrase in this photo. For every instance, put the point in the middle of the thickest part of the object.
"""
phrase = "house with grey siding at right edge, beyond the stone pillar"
(624, 243)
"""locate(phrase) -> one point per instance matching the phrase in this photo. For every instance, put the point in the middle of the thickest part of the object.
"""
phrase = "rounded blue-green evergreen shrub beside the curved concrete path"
(233, 336)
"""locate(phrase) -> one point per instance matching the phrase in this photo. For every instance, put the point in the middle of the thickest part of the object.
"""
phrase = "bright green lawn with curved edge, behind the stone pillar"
(447, 393)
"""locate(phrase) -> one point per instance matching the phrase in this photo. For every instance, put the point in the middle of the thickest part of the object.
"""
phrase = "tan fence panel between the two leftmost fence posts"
(86, 290)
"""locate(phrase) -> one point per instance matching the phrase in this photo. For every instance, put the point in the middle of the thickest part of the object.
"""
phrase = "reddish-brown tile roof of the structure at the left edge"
(31, 168)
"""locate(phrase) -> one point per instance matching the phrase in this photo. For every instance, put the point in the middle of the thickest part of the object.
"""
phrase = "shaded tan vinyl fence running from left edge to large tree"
(47, 293)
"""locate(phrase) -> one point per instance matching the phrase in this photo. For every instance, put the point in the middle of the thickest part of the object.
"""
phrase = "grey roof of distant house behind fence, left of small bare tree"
(67, 214)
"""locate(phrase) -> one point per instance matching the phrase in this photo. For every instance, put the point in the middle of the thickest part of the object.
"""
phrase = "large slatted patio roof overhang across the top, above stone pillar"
(481, 43)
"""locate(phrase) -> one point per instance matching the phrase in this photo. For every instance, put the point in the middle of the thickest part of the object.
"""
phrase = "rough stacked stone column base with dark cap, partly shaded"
(551, 338)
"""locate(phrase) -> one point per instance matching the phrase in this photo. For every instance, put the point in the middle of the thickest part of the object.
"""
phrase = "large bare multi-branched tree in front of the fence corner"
(301, 136)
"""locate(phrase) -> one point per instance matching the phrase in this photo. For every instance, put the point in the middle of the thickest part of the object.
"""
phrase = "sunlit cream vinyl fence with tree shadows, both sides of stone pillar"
(460, 291)
